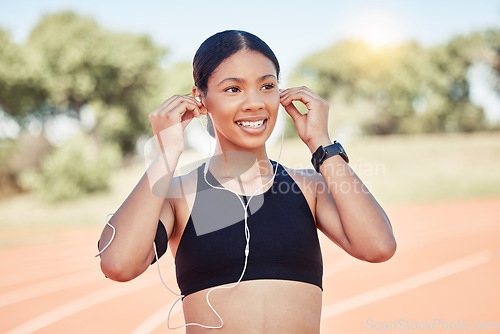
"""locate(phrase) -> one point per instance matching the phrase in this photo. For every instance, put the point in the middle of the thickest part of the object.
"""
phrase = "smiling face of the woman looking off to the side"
(243, 99)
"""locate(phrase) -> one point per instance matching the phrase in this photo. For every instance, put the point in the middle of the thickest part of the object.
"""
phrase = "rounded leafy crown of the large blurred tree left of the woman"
(85, 64)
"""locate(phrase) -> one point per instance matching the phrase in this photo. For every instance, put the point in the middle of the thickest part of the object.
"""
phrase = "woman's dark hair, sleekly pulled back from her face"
(217, 48)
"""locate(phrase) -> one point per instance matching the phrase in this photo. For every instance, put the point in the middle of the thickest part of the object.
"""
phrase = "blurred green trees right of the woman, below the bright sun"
(403, 89)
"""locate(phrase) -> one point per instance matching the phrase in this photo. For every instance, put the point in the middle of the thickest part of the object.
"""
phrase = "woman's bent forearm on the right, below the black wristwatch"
(367, 229)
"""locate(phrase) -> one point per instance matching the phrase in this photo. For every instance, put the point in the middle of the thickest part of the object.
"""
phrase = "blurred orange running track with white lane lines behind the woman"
(444, 278)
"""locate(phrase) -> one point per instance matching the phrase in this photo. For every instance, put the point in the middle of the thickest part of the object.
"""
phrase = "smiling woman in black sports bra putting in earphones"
(280, 268)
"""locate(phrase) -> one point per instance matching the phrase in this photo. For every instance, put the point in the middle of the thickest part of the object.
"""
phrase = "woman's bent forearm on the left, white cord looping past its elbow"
(136, 222)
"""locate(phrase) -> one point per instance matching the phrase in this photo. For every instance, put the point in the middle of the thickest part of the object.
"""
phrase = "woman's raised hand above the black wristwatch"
(312, 127)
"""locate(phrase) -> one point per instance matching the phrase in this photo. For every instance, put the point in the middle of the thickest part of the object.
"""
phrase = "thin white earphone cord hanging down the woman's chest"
(247, 237)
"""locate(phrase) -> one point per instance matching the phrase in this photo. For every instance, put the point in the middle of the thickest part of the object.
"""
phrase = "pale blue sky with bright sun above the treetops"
(293, 29)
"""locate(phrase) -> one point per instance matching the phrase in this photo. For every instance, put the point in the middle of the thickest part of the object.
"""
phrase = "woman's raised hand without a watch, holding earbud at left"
(171, 118)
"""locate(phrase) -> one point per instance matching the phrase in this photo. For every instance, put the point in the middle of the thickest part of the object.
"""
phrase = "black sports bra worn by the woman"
(283, 237)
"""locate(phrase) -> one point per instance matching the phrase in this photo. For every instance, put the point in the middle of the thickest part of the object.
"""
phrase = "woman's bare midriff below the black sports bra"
(257, 306)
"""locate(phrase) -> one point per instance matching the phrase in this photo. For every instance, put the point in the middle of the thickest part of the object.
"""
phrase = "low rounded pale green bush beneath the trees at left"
(76, 168)
